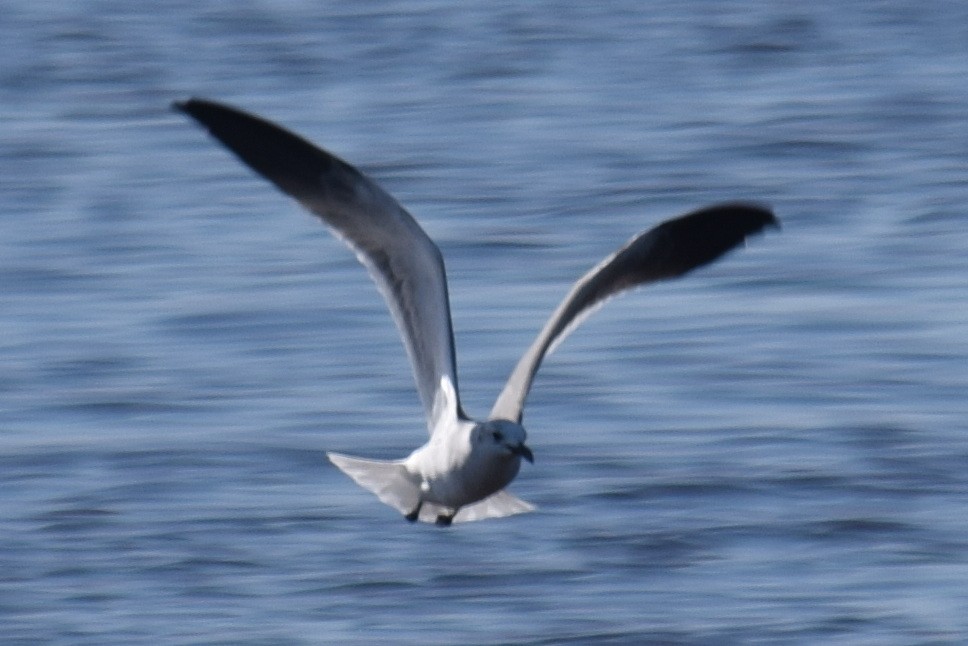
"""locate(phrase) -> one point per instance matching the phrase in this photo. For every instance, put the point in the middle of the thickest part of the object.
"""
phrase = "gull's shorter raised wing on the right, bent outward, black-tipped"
(669, 250)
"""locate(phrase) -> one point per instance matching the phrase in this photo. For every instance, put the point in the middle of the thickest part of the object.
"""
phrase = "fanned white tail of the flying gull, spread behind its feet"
(396, 487)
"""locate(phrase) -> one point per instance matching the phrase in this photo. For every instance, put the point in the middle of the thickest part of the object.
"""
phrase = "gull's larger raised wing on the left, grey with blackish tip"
(405, 264)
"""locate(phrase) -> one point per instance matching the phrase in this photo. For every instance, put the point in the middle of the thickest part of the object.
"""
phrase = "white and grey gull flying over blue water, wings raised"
(460, 474)
